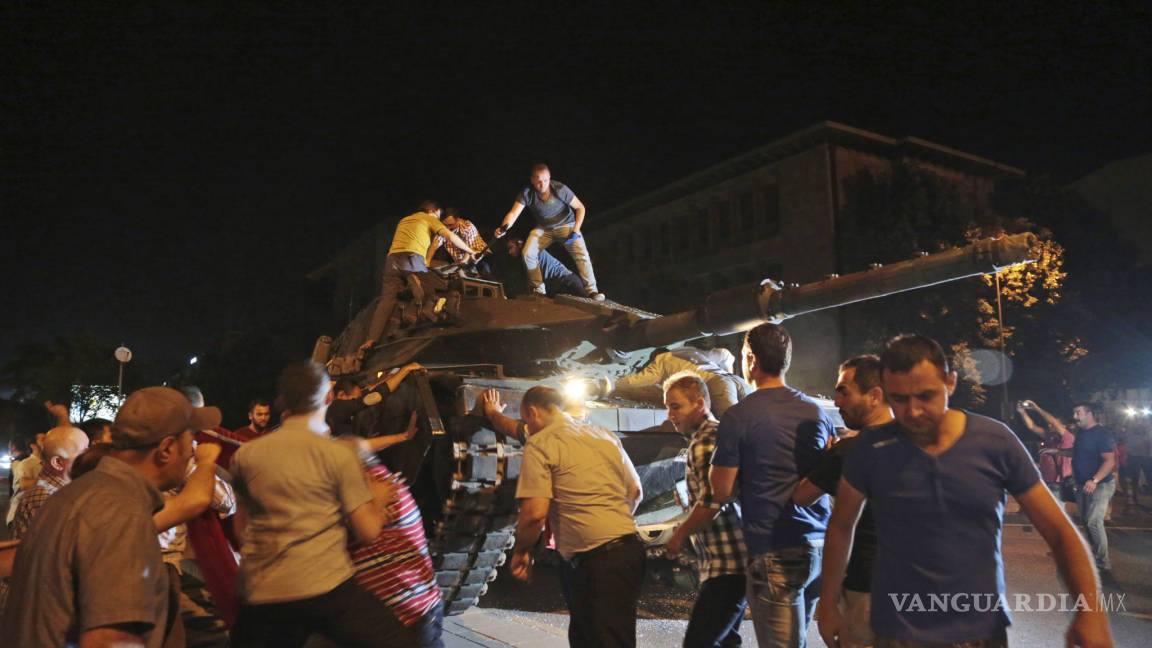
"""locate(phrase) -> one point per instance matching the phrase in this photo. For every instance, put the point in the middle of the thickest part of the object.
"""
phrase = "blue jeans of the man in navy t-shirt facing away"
(783, 590)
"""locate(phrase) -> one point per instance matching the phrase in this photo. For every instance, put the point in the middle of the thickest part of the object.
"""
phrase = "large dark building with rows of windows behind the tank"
(794, 210)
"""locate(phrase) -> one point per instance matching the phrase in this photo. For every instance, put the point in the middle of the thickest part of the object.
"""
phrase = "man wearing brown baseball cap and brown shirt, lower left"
(89, 571)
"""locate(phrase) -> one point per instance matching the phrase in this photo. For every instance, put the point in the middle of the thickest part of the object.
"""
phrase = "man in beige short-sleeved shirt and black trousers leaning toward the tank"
(580, 479)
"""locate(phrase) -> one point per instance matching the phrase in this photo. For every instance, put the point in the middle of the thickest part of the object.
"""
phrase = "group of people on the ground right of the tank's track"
(920, 491)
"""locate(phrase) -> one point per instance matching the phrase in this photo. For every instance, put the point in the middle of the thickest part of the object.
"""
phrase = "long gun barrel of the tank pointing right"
(744, 307)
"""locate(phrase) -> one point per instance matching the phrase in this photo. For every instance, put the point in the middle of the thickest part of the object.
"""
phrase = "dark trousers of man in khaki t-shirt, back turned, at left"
(348, 615)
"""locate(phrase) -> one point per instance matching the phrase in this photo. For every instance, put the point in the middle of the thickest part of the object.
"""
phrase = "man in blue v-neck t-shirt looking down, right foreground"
(936, 479)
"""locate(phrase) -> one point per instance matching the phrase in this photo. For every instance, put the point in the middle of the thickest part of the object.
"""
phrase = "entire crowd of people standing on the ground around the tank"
(299, 531)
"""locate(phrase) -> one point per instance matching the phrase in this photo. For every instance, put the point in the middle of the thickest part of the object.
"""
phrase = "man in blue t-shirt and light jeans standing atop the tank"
(559, 217)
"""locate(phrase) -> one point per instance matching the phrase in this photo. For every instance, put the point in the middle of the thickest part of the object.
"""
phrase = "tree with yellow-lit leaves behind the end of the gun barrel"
(891, 218)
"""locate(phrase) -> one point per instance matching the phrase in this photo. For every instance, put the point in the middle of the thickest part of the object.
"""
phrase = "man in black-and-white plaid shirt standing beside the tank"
(715, 528)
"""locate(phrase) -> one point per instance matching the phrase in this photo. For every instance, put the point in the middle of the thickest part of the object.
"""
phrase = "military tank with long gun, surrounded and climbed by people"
(471, 337)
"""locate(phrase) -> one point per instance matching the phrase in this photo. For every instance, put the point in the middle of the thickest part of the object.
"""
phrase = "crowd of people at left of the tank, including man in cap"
(297, 532)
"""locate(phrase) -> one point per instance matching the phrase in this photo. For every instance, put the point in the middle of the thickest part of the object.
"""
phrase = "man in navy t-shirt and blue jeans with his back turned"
(766, 444)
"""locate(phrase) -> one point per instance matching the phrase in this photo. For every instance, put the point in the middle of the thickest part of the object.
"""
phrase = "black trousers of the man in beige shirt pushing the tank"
(605, 590)
